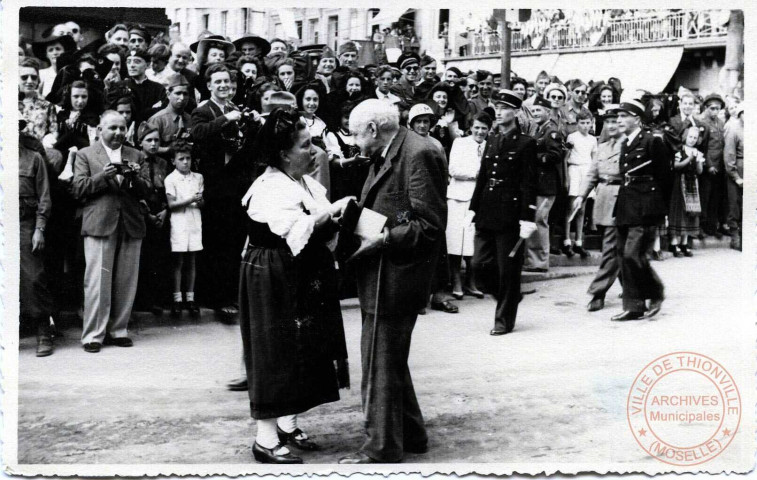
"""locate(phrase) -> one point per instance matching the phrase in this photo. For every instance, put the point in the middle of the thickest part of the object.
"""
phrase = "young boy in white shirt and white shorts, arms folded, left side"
(184, 193)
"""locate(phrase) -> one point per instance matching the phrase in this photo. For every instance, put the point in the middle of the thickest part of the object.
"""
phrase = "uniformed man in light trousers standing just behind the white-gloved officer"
(549, 162)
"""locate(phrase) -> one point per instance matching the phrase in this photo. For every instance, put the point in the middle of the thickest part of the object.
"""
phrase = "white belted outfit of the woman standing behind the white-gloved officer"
(464, 161)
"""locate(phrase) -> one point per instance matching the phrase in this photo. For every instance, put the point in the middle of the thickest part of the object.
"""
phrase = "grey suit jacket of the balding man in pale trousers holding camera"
(105, 201)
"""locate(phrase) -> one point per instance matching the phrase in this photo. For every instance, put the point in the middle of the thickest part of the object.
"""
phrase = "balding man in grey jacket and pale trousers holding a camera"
(109, 181)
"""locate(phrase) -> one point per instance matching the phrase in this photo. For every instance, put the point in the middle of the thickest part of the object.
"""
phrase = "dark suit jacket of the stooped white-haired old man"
(410, 189)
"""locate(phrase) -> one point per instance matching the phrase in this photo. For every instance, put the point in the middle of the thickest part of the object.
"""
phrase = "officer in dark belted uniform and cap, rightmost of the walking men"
(641, 205)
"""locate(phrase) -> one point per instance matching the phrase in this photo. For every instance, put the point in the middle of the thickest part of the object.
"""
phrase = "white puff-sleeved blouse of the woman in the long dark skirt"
(280, 206)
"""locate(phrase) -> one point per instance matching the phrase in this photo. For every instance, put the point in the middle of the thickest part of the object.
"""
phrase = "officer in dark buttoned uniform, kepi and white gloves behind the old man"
(504, 206)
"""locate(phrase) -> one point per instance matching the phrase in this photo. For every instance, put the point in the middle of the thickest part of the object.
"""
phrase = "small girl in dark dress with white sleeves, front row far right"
(684, 203)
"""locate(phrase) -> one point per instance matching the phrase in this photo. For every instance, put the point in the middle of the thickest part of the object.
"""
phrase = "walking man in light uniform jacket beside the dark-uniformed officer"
(604, 174)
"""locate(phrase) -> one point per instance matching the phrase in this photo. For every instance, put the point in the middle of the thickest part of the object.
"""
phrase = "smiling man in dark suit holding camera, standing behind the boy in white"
(215, 130)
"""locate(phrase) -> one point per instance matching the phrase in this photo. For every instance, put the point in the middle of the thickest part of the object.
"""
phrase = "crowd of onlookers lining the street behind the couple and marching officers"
(189, 116)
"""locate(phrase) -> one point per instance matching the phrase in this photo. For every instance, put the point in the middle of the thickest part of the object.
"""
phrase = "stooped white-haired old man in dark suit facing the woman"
(407, 183)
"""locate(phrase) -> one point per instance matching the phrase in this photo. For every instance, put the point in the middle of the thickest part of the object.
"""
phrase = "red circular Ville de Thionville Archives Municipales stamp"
(684, 408)
